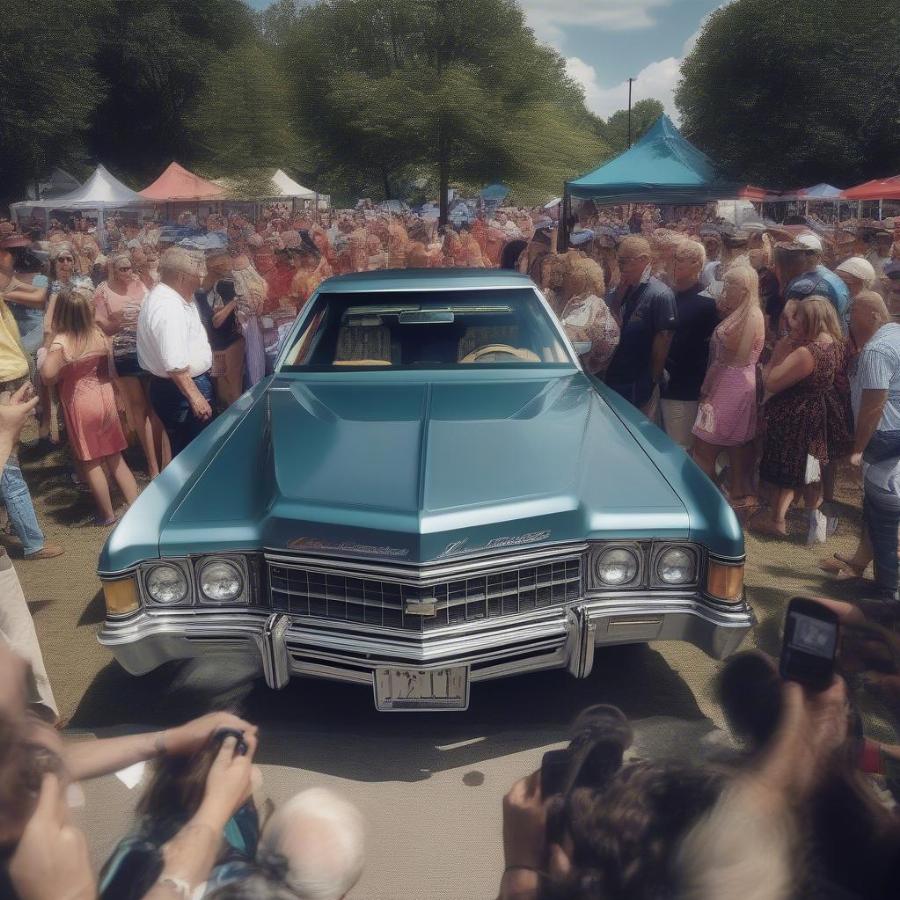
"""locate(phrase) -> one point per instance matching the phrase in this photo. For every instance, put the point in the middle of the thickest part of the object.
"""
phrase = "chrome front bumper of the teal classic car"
(282, 646)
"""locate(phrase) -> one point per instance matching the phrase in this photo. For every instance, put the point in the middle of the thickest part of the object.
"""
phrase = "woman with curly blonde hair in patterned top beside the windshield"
(585, 315)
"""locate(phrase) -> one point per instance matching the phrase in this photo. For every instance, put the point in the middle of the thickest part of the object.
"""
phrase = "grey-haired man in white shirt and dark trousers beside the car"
(173, 347)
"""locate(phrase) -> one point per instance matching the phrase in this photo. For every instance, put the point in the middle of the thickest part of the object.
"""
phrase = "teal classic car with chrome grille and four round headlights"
(428, 492)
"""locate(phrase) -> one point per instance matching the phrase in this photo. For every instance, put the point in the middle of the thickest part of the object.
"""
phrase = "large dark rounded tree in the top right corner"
(797, 94)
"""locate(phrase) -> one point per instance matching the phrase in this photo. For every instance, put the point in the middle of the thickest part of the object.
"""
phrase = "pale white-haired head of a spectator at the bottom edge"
(322, 839)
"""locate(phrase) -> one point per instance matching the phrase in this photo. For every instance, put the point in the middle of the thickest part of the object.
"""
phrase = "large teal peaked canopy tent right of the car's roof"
(662, 167)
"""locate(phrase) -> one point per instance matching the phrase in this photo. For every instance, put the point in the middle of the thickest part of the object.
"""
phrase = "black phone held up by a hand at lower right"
(810, 644)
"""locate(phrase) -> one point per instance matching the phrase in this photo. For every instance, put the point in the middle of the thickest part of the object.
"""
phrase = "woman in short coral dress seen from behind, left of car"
(79, 361)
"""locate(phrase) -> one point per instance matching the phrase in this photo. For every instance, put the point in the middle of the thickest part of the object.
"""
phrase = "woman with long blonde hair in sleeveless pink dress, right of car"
(726, 418)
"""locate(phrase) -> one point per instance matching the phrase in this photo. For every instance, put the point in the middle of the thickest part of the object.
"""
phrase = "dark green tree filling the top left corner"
(49, 88)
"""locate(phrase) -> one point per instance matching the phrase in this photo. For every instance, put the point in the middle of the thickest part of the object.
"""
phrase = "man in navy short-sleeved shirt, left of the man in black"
(645, 310)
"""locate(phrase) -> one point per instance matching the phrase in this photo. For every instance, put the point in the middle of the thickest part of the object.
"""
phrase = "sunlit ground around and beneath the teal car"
(430, 785)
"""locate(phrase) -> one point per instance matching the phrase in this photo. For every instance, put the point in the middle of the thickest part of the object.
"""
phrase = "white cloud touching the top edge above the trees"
(548, 18)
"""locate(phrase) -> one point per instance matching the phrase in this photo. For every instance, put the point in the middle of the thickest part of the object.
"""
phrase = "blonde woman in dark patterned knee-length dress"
(798, 381)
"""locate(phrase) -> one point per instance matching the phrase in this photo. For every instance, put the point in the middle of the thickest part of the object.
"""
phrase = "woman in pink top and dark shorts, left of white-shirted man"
(117, 304)
